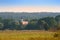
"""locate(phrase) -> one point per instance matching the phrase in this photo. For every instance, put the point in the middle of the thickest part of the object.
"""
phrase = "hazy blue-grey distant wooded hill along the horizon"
(25, 15)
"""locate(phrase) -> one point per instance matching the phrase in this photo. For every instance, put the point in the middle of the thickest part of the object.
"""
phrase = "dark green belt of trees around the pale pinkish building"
(46, 23)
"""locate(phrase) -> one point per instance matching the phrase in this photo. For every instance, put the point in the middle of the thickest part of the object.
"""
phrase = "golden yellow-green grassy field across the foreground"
(29, 35)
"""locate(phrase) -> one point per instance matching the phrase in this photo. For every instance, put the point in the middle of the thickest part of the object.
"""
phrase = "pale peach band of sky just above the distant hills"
(30, 9)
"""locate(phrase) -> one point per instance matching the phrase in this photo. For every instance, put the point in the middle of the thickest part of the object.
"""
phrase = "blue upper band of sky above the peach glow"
(5, 3)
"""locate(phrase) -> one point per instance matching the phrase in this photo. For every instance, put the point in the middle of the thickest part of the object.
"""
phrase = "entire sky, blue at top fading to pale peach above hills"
(29, 5)
